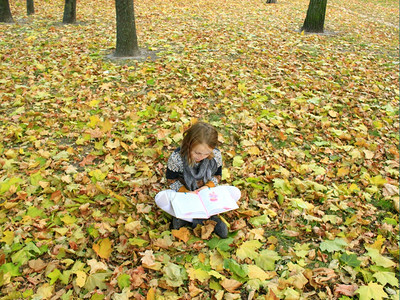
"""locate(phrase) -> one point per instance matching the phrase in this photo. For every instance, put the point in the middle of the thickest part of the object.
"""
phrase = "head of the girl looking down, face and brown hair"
(199, 142)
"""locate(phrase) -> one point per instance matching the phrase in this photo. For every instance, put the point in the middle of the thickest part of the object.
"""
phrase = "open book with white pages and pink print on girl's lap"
(204, 204)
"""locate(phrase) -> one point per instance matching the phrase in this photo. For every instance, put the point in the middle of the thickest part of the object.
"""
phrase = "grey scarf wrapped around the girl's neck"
(201, 171)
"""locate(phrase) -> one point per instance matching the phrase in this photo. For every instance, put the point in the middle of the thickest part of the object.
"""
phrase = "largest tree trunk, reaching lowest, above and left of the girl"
(127, 44)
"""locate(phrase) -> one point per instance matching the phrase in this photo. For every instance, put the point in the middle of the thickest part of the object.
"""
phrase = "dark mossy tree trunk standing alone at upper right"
(315, 18)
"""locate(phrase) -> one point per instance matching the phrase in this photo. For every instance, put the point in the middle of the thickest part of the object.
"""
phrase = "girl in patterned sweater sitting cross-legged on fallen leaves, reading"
(196, 165)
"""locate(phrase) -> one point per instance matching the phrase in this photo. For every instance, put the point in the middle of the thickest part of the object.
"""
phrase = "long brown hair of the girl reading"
(199, 133)
